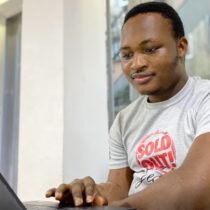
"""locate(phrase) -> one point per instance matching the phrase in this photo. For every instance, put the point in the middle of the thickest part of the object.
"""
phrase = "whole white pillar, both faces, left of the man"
(63, 94)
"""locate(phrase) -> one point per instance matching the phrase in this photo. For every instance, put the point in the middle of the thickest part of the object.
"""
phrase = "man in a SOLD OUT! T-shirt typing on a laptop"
(159, 144)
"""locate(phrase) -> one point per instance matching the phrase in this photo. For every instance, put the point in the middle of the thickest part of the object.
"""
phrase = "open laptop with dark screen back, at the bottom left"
(10, 201)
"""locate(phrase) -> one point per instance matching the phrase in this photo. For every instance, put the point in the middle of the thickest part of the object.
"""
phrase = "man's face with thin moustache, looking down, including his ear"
(152, 60)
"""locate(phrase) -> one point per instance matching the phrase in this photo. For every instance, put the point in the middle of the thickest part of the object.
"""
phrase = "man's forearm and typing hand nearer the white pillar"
(116, 188)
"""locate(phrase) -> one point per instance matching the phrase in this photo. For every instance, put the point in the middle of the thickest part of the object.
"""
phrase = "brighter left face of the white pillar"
(41, 98)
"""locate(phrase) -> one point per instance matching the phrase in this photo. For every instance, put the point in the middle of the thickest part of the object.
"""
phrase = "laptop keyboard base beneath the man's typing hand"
(46, 205)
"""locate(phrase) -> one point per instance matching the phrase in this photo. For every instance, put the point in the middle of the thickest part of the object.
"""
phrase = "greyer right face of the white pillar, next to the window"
(85, 90)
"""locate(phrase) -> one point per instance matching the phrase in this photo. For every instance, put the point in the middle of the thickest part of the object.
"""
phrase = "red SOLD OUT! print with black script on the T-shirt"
(156, 155)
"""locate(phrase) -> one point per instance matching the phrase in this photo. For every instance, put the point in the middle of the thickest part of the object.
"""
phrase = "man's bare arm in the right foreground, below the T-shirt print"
(188, 187)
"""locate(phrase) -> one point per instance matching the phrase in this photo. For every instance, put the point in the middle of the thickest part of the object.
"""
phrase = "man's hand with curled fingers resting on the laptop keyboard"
(78, 193)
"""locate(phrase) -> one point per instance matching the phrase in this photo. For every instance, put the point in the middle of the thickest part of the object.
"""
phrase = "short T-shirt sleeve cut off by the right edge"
(203, 117)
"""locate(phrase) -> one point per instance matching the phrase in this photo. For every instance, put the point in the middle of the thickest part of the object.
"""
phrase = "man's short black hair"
(162, 8)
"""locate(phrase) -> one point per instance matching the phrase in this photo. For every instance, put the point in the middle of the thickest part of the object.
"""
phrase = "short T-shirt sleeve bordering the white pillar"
(117, 153)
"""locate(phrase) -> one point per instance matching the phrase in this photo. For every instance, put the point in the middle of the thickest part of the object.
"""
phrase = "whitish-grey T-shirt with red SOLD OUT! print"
(154, 138)
